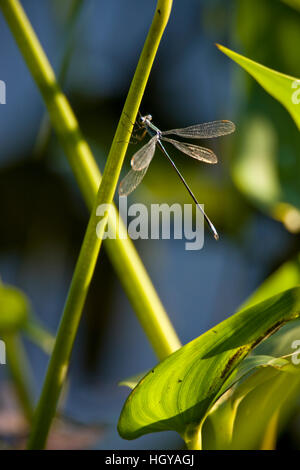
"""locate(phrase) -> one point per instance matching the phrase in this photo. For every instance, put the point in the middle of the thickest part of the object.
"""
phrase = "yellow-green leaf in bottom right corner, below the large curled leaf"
(251, 406)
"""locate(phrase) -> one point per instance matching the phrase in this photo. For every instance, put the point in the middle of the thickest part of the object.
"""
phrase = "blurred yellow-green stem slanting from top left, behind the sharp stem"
(121, 251)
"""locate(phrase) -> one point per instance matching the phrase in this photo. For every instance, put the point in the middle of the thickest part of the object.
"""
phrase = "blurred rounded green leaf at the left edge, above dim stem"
(14, 309)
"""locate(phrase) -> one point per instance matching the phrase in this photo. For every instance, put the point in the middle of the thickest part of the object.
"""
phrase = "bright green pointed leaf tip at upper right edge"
(284, 88)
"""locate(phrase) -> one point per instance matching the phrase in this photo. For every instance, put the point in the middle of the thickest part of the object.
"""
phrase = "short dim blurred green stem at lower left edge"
(20, 372)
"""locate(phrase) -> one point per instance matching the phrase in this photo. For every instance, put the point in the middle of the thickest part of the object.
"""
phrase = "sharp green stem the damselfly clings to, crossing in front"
(59, 361)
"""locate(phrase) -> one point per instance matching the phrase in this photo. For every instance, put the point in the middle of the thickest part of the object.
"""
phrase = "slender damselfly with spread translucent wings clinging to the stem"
(142, 158)
